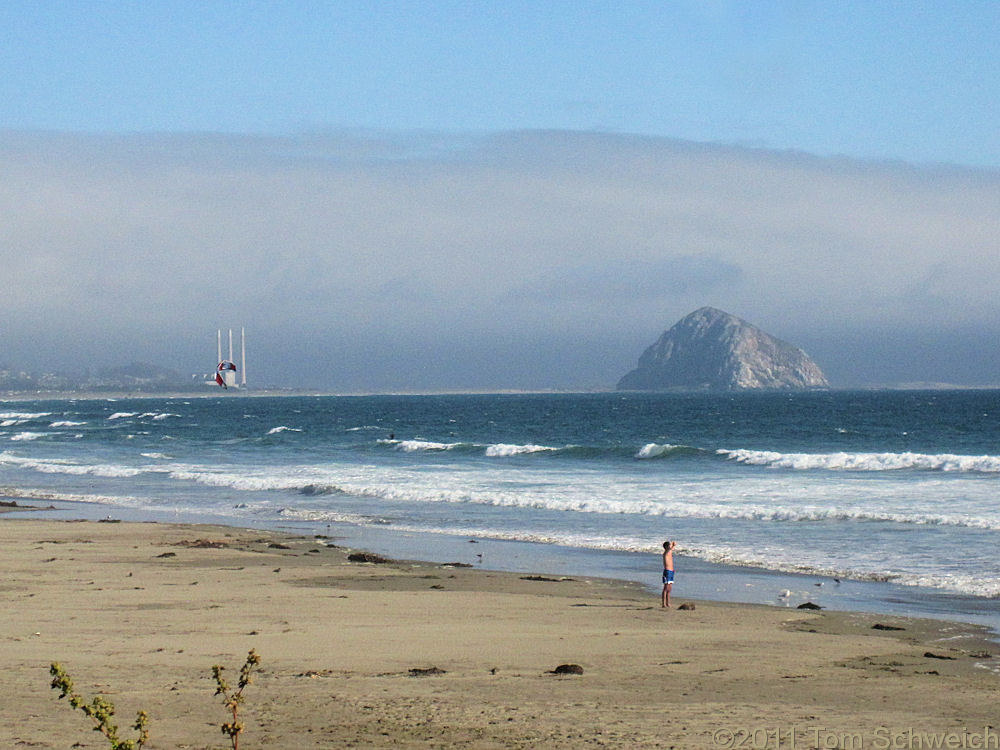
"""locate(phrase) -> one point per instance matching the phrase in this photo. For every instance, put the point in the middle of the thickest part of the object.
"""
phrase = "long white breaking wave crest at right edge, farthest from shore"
(866, 461)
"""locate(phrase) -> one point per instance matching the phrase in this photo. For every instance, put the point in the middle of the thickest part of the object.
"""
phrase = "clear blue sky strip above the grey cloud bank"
(914, 81)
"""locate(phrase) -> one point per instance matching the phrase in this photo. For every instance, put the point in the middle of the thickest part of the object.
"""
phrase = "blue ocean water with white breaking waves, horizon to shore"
(897, 488)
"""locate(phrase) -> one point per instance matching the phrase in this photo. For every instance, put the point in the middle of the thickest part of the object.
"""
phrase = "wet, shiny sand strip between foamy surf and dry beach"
(697, 579)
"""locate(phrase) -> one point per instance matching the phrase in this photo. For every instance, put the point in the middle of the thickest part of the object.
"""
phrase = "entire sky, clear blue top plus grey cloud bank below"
(472, 195)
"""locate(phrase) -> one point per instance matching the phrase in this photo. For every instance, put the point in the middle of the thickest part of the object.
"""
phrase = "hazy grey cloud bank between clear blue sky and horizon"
(522, 260)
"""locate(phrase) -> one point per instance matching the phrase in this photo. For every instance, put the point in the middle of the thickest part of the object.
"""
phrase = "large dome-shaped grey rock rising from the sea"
(715, 351)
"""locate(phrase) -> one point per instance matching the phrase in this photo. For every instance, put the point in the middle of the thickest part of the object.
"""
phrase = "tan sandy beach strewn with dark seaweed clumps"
(141, 612)
